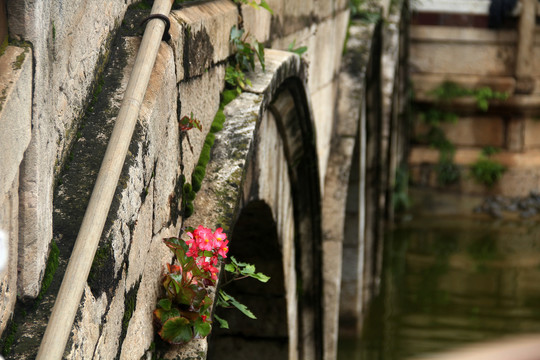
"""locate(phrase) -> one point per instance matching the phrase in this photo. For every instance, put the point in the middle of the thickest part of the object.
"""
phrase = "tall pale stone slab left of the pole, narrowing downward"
(65, 68)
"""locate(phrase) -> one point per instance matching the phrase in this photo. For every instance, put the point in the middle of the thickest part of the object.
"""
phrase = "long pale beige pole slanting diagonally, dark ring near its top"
(70, 293)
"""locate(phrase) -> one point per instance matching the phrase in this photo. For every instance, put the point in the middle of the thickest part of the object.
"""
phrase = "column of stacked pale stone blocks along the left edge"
(15, 128)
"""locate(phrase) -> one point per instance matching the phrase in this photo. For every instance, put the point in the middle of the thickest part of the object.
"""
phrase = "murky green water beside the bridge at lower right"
(447, 282)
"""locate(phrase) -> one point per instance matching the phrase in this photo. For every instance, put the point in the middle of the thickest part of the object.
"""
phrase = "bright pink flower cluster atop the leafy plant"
(207, 248)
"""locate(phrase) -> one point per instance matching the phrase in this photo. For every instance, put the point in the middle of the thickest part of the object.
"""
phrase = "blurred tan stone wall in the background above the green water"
(475, 58)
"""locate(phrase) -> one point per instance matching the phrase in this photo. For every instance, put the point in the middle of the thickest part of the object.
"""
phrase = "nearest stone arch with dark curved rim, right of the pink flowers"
(281, 172)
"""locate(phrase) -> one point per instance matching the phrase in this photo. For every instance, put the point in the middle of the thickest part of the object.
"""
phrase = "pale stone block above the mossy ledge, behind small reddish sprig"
(200, 96)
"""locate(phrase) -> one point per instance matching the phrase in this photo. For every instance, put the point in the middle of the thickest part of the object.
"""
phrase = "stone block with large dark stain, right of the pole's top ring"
(200, 36)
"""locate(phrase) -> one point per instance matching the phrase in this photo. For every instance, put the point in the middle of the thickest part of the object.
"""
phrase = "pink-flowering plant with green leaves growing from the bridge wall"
(184, 312)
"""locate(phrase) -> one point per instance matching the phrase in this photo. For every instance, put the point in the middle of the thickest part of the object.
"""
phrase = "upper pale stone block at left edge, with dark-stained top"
(15, 111)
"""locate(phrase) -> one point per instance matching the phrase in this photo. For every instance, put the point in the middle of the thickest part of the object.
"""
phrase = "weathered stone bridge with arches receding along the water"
(300, 176)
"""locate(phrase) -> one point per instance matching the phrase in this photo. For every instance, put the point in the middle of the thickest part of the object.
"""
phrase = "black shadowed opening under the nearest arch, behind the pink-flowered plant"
(254, 240)
